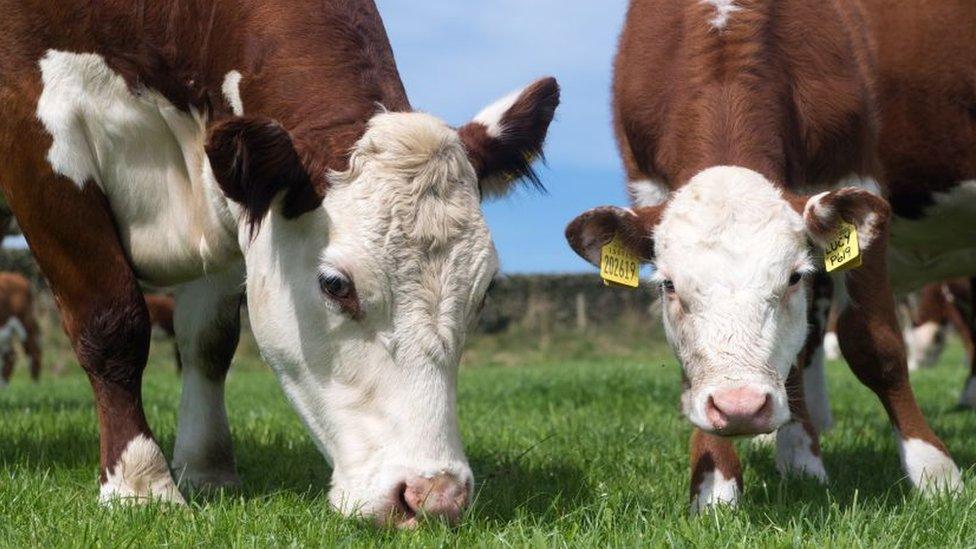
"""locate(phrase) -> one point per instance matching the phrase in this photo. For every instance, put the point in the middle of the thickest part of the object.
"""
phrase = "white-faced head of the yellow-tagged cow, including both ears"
(731, 251)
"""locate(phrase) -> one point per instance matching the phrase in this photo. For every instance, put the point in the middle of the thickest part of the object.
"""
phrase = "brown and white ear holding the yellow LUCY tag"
(823, 213)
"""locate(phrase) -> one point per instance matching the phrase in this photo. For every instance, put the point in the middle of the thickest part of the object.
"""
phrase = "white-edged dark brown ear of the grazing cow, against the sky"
(507, 136)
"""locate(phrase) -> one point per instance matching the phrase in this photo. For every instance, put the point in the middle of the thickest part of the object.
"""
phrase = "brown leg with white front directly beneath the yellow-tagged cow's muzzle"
(716, 474)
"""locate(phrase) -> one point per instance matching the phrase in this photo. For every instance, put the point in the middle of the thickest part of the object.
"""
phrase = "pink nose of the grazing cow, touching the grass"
(441, 496)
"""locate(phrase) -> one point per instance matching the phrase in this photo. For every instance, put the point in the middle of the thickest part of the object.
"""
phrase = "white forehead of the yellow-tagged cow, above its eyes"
(729, 224)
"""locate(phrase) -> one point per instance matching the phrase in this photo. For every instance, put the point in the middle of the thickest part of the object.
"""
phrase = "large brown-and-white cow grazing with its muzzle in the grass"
(184, 143)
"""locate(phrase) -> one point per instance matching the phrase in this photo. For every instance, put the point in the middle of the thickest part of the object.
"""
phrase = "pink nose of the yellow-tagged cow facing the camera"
(740, 410)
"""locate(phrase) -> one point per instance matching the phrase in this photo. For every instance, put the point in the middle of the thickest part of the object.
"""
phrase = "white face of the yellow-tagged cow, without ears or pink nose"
(734, 320)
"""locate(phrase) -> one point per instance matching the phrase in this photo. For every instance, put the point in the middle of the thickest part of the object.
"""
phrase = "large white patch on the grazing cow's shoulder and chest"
(148, 158)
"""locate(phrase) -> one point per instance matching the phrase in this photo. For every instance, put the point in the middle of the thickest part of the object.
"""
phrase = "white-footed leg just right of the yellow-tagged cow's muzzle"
(797, 442)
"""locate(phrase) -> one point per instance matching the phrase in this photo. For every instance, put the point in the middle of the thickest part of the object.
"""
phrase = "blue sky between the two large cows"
(456, 56)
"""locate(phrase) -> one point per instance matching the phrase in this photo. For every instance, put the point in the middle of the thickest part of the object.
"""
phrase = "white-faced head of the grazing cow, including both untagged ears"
(360, 301)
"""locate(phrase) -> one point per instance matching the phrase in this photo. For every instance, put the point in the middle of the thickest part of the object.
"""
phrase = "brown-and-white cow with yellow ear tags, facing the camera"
(750, 130)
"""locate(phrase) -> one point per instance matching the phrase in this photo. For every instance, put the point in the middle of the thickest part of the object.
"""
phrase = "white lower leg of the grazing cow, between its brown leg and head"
(207, 323)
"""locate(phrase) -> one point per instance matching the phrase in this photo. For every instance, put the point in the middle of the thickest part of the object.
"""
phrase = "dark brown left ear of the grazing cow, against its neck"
(253, 159)
